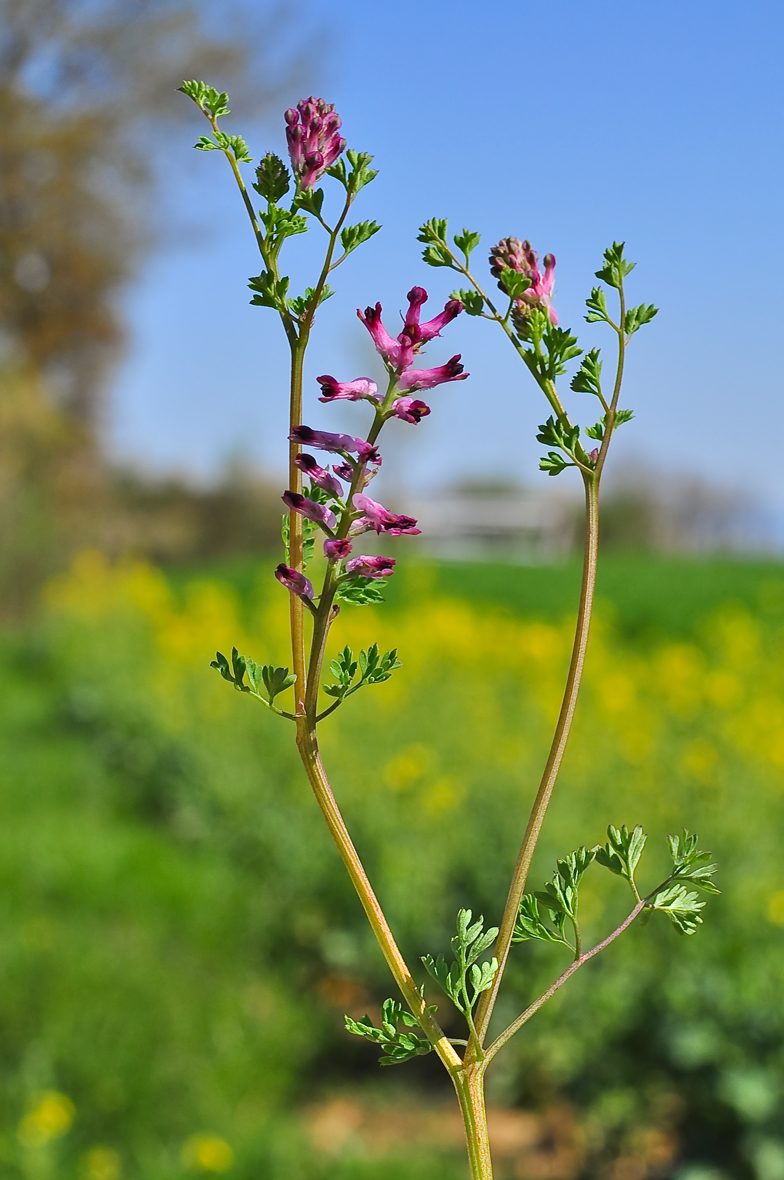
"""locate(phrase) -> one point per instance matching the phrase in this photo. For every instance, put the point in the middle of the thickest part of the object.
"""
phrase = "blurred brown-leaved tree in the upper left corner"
(87, 91)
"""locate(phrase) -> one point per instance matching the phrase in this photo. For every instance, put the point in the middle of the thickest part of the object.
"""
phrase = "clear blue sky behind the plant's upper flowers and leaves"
(569, 123)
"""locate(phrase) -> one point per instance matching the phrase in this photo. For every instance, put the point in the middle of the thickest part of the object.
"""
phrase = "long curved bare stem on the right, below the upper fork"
(558, 748)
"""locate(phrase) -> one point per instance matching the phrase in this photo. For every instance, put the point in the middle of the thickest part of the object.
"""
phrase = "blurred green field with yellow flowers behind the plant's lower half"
(180, 943)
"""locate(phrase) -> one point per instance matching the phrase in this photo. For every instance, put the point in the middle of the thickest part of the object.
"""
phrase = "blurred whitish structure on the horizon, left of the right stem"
(498, 525)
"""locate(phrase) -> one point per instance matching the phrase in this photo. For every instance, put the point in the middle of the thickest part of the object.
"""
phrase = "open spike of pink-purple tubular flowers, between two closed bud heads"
(347, 514)
